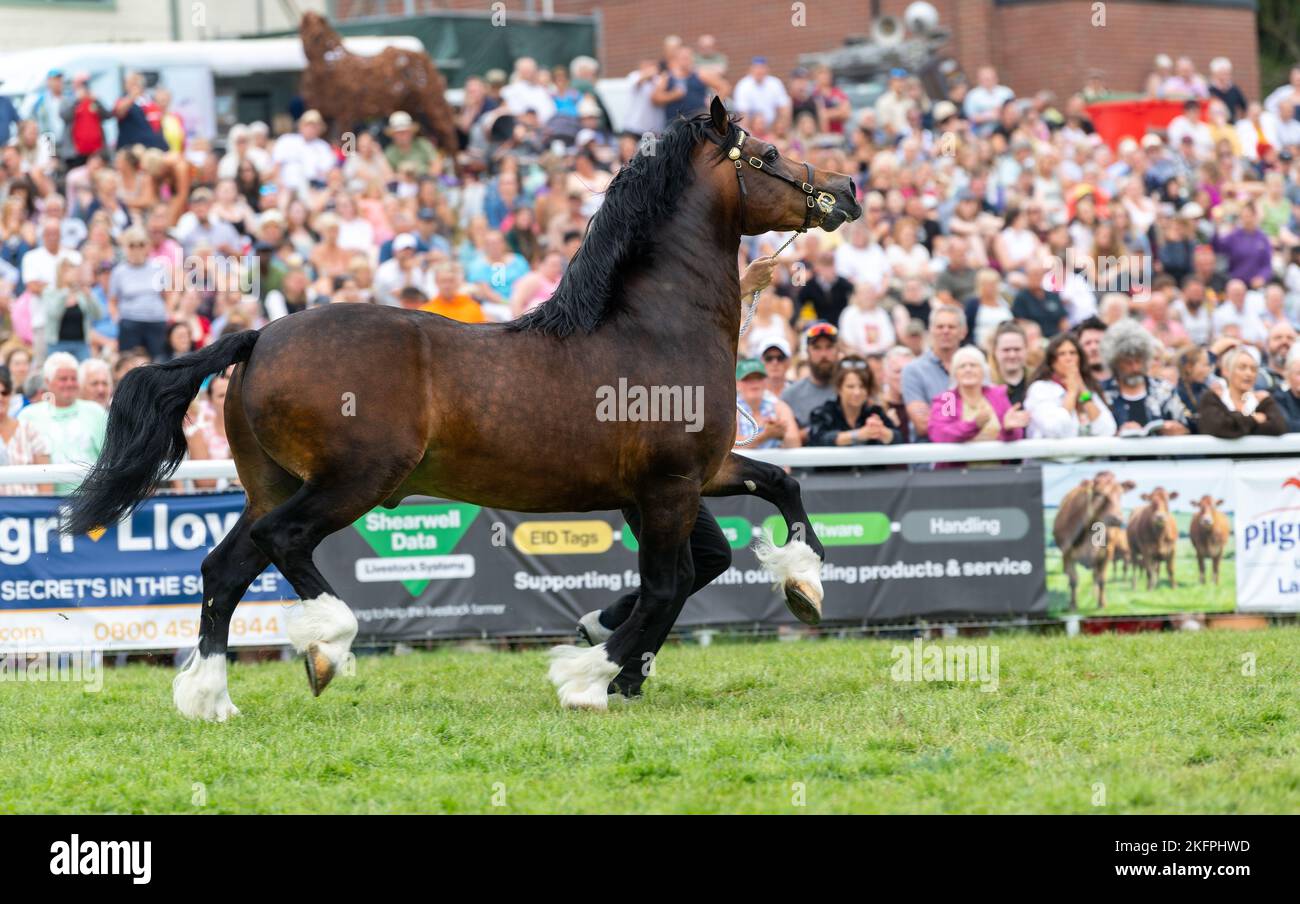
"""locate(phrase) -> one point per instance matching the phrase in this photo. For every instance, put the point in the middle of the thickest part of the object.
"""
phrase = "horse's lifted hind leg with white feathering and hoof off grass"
(322, 628)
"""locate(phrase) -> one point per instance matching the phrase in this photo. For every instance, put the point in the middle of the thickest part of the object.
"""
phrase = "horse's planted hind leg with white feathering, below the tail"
(200, 691)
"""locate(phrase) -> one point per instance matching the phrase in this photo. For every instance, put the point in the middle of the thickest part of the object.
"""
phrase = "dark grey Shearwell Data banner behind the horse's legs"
(900, 546)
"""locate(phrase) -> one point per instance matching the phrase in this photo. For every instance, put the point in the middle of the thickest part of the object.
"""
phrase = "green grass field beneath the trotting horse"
(1165, 723)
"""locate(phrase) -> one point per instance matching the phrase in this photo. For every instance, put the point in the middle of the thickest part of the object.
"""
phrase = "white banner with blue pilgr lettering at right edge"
(1268, 537)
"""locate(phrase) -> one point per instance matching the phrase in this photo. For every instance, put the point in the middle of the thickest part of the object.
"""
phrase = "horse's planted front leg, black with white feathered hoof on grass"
(583, 677)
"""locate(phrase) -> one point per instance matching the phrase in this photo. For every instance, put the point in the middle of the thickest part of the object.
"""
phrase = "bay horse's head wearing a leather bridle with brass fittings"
(781, 194)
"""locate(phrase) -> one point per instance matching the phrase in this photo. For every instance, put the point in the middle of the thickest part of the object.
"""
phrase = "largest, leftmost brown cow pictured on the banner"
(1082, 530)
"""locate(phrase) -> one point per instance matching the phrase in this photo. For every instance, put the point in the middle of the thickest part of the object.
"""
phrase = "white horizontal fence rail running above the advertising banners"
(1181, 447)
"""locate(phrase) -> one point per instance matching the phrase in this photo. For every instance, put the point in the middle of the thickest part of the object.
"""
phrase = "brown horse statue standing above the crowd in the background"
(350, 90)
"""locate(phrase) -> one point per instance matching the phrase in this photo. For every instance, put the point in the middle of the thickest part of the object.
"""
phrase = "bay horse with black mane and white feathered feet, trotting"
(340, 409)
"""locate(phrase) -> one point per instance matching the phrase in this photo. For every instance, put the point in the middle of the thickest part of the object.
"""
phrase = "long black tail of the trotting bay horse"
(146, 434)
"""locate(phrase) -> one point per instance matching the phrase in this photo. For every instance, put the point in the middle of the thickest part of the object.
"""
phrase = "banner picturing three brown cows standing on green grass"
(1165, 529)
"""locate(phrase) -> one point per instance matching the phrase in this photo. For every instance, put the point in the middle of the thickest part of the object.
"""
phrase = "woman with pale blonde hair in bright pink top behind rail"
(973, 410)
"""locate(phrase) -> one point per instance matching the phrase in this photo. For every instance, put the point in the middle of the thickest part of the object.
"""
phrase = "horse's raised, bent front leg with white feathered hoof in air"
(798, 565)
